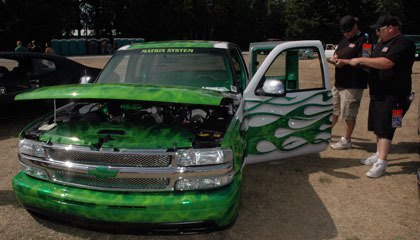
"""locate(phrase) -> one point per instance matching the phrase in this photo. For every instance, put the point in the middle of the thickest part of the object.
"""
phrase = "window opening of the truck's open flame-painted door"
(299, 69)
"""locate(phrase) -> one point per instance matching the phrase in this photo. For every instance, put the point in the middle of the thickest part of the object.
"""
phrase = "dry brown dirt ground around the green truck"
(318, 196)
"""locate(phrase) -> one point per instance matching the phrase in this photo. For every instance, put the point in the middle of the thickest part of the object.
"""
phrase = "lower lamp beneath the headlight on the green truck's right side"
(207, 182)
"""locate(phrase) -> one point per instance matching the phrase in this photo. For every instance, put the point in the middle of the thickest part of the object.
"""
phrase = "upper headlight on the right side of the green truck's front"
(199, 157)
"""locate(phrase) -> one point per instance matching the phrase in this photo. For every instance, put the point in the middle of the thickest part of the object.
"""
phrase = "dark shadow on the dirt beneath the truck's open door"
(280, 195)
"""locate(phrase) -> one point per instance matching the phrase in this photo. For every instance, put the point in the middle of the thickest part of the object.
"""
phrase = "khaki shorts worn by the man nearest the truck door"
(346, 102)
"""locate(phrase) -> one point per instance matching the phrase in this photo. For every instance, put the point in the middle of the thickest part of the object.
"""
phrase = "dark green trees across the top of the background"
(240, 21)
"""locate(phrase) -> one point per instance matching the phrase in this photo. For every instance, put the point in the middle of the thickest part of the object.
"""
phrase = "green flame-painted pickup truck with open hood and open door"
(160, 139)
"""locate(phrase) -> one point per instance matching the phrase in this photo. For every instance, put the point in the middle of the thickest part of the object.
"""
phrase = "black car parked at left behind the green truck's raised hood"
(25, 71)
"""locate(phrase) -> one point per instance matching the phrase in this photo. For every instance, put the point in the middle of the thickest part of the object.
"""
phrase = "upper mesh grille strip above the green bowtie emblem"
(115, 159)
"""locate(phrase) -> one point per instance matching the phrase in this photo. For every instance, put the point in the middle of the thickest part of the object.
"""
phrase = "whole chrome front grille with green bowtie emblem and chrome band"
(148, 170)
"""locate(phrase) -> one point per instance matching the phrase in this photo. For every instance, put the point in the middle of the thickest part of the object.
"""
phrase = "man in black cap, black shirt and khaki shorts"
(349, 81)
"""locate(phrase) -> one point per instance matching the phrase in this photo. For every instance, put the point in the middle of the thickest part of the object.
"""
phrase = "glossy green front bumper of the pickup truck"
(217, 208)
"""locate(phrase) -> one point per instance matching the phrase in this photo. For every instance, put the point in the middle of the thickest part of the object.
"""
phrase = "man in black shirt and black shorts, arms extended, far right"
(389, 87)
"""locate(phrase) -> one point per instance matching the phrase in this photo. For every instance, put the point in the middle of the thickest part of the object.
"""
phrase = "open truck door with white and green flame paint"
(288, 103)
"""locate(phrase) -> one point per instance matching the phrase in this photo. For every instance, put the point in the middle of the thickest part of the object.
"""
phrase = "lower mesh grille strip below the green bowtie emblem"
(110, 183)
